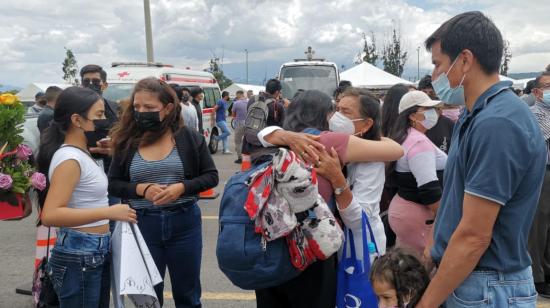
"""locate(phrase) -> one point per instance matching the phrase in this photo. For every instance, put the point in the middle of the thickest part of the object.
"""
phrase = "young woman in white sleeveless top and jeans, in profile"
(76, 201)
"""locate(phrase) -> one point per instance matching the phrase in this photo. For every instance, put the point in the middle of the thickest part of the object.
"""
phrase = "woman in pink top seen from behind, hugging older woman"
(316, 286)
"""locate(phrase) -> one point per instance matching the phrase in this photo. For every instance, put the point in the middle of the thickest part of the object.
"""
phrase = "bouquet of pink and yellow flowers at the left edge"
(17, 174)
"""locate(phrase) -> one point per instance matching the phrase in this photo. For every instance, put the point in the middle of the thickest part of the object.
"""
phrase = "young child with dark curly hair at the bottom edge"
(398, 279)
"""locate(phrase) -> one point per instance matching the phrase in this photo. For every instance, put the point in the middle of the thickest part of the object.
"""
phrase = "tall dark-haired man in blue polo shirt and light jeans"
(493, 176)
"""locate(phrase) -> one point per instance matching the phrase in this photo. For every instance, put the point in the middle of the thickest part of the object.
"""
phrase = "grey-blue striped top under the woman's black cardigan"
(166, 171)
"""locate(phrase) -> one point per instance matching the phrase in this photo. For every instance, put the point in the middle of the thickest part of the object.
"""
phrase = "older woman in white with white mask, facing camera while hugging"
(361, 117)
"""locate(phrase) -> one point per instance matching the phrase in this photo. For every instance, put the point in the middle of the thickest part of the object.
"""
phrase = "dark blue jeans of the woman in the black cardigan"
(174, 238)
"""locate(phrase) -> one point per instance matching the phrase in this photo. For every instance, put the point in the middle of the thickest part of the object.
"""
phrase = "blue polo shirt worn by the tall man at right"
(497, 153)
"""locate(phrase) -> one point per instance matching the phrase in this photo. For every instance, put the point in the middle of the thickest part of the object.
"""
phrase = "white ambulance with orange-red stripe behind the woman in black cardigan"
(122, 76)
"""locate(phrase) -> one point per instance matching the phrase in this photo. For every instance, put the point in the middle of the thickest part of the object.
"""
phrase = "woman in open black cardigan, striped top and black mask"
(160, 166)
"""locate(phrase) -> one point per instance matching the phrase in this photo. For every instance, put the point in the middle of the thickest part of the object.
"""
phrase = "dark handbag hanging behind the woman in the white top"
(42, 286)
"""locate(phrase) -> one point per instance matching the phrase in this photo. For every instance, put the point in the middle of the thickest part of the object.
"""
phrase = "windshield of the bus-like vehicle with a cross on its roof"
(308, 77)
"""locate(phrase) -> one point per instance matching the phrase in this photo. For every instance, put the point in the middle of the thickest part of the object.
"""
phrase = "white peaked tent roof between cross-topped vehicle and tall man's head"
(366, 75)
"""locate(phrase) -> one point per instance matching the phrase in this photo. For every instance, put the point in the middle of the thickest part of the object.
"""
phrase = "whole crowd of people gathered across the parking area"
(447, 174)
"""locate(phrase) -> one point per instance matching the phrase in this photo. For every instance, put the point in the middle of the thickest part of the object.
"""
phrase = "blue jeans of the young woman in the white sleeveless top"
(76, 268)
